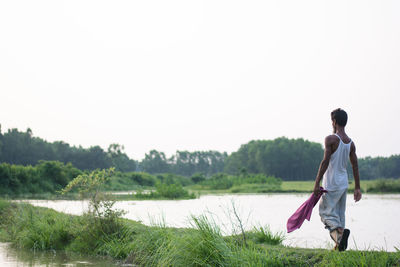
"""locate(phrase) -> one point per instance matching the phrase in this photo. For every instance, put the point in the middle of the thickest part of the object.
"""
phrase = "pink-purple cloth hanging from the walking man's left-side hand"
(303, 212)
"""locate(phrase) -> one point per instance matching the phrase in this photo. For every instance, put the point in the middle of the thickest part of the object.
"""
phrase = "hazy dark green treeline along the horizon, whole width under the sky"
(289, 159)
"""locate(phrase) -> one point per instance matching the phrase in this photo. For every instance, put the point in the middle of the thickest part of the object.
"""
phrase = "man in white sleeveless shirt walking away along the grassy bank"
(338, 149)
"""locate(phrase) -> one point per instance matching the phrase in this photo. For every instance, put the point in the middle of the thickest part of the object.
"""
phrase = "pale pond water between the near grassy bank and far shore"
(373, 221)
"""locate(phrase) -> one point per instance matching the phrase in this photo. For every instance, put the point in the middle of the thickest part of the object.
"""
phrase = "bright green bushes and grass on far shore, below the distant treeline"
(48, 177)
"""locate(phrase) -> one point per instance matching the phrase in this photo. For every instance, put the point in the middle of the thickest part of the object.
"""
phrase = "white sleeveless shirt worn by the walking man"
(335, 177)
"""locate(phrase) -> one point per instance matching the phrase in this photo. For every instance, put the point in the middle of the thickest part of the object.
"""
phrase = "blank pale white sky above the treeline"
(200, 75)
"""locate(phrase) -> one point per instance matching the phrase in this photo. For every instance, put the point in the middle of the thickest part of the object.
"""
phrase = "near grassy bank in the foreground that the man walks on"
(131, 242)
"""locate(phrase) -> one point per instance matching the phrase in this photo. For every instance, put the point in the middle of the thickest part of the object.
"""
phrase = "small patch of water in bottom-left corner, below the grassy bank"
(10, 257)
